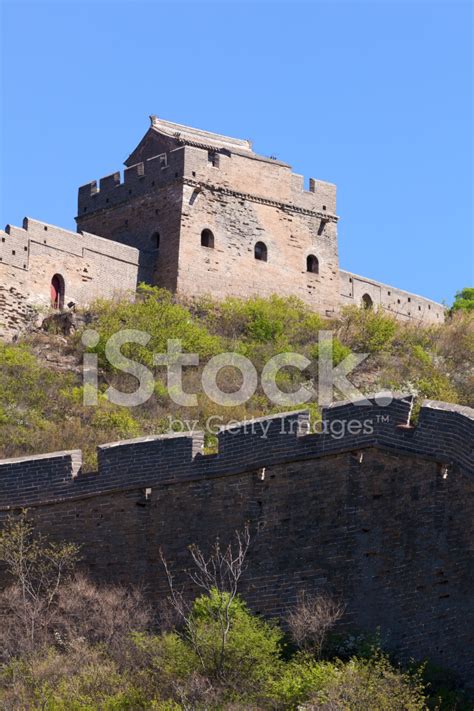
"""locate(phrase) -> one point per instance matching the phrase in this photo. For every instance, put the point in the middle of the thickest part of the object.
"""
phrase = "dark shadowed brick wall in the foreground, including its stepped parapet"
(373, 510)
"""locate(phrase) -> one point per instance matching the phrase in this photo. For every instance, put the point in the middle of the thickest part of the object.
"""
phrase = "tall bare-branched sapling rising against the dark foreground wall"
(218, 575)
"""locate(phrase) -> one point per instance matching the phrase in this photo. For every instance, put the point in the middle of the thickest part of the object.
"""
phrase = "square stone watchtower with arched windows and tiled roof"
(211, 216)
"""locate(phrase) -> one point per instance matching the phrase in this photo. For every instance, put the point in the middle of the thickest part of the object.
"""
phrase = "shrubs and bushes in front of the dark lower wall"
(67, 644)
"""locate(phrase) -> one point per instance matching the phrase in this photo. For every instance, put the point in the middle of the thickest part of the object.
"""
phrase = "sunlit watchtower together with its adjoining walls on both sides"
(199, 214)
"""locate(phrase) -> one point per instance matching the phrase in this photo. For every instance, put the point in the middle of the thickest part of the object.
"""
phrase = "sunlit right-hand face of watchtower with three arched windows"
(244, 201)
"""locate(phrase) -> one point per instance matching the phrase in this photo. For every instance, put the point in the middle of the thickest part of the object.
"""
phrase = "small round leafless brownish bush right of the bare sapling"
(312, 618)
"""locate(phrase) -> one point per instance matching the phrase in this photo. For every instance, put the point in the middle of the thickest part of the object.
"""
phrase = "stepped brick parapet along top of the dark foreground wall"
(444, 433)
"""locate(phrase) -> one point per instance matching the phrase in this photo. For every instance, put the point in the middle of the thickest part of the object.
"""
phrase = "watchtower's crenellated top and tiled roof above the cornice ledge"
(170, 153)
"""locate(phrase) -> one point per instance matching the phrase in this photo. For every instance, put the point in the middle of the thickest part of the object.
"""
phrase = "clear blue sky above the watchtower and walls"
(374, 96)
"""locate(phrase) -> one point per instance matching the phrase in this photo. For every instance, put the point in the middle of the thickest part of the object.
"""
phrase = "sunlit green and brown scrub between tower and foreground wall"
(41, 401)
